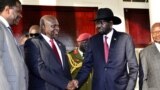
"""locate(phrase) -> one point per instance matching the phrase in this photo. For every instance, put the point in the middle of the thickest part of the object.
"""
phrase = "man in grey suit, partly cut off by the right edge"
(149, 62)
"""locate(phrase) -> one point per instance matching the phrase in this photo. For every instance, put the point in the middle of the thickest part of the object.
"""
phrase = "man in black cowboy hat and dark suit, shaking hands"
(109, 54)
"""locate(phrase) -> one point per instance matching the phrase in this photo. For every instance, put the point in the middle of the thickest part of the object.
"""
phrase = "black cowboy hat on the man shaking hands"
(107, 14)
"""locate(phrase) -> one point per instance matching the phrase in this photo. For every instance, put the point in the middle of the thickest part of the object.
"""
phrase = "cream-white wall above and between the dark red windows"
(117, 6)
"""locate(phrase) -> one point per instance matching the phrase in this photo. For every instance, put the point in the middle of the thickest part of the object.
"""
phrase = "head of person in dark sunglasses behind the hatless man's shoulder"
(34, 31)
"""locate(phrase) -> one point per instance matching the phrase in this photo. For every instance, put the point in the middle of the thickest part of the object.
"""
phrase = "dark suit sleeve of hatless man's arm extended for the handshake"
(37, 66)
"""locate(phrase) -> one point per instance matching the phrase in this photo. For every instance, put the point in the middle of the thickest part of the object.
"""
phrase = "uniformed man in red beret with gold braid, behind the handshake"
(76, 58)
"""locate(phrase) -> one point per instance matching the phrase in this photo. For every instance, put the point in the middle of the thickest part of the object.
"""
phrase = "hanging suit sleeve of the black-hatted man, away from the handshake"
(132, 64)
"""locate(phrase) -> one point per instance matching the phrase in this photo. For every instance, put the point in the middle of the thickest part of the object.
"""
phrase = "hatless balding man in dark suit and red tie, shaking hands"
(46, 58)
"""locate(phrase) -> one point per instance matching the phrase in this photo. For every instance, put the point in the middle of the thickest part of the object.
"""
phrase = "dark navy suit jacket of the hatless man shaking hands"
(45, 72)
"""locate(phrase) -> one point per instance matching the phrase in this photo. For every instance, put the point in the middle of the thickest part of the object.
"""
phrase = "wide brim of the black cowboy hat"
(116, 20)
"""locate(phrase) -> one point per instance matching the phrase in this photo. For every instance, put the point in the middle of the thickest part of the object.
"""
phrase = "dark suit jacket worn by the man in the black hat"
(114, 74)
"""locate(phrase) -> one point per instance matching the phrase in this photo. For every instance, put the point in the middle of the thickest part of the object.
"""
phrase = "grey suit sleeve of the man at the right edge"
(143, 71)
